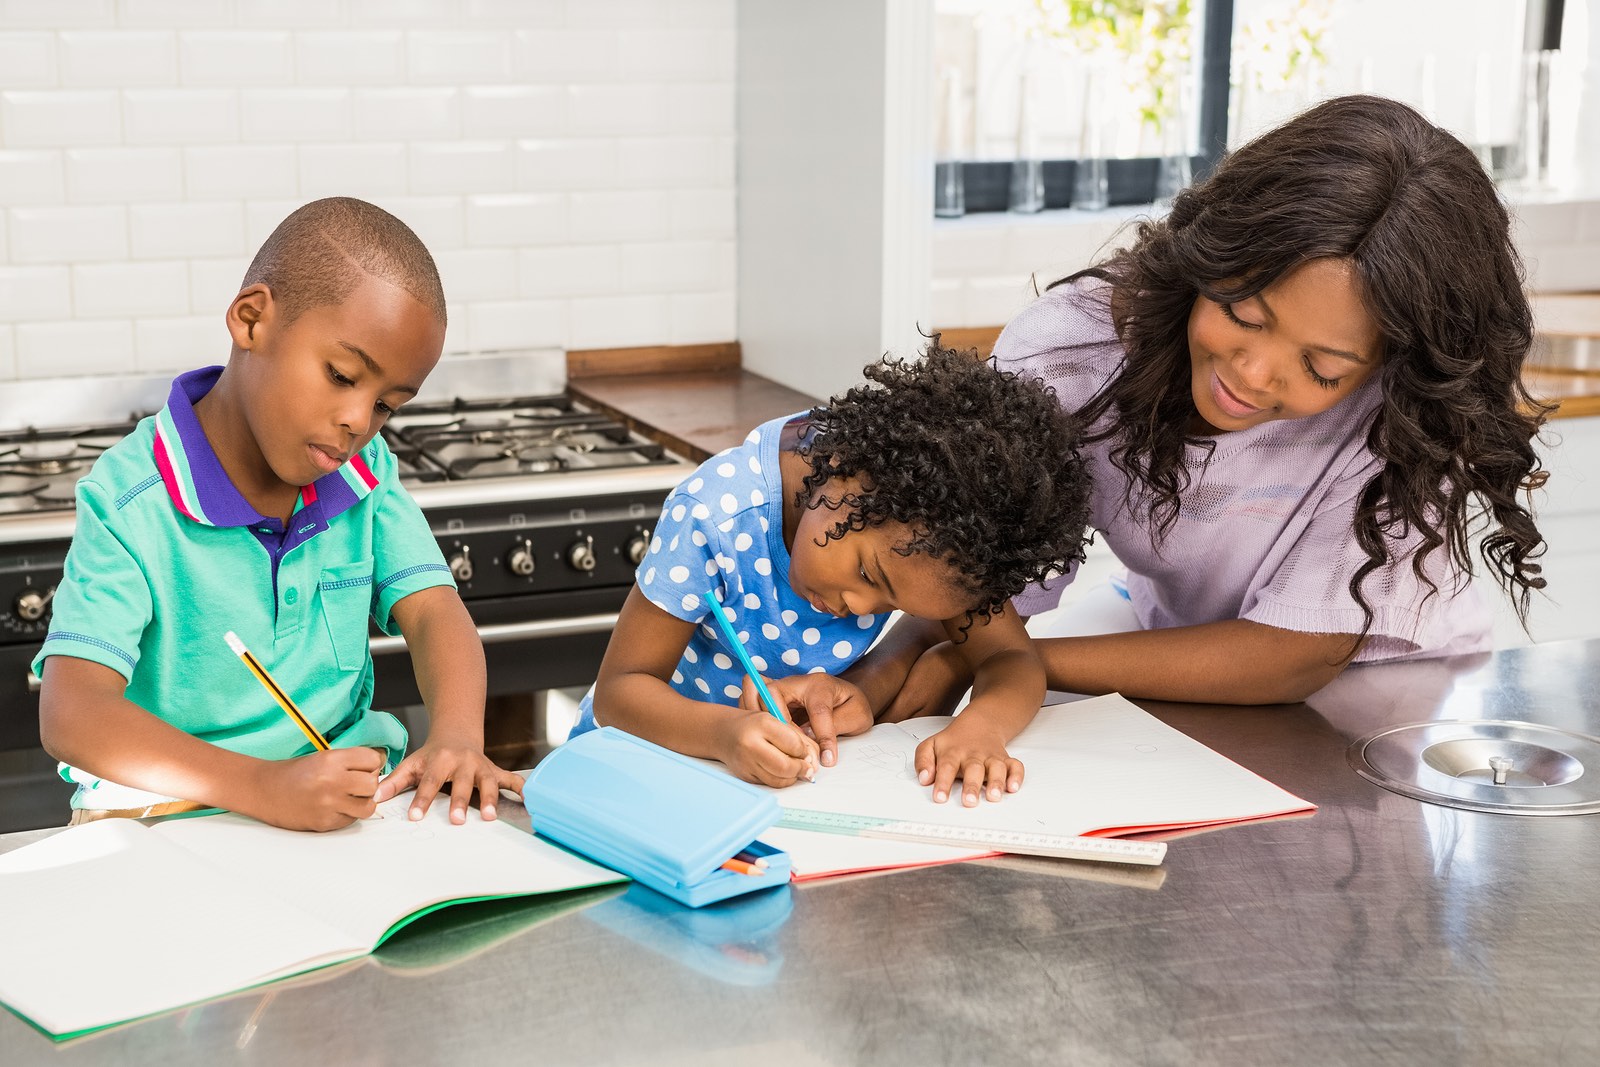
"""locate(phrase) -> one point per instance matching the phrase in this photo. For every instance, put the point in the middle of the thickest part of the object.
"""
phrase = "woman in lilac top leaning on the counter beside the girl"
(1302, 394)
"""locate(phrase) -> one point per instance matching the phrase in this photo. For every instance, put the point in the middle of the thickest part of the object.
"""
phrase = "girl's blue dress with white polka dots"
(722, 530)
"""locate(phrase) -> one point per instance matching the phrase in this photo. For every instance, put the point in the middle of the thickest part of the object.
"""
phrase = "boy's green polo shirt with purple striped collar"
(169, 557)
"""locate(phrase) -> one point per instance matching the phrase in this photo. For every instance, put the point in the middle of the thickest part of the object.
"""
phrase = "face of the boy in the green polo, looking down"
(319, 390)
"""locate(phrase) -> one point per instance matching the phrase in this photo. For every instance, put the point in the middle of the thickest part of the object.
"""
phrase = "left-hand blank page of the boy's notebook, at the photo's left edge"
(108, 922)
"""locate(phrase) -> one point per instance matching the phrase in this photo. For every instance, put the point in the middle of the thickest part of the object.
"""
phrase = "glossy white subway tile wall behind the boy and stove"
(569, 162)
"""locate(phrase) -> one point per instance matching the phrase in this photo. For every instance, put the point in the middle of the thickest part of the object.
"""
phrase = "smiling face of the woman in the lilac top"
(1297, 350)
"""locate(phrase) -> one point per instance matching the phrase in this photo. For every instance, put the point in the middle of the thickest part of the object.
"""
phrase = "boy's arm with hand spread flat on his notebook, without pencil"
(449, 660)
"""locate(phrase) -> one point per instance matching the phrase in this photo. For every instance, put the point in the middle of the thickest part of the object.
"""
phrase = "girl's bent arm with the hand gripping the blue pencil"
(633, 693)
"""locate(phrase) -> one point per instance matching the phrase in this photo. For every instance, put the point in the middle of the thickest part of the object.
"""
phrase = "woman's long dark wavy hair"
(1374, 183)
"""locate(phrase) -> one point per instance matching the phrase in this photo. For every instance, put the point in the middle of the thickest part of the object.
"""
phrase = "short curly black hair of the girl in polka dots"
(980, 465)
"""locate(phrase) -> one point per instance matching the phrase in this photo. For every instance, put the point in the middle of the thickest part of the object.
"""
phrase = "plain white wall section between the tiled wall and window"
(836, 186)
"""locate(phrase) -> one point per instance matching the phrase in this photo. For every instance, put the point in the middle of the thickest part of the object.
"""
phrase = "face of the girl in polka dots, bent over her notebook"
(862, 573)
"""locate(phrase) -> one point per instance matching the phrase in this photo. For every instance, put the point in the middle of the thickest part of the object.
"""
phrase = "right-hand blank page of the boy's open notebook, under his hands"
(372, 874)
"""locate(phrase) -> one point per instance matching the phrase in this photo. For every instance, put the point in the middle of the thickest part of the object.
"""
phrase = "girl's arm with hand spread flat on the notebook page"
(1009, 685)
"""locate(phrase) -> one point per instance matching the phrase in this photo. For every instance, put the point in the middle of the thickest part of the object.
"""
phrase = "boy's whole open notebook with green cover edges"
(118, 921)
